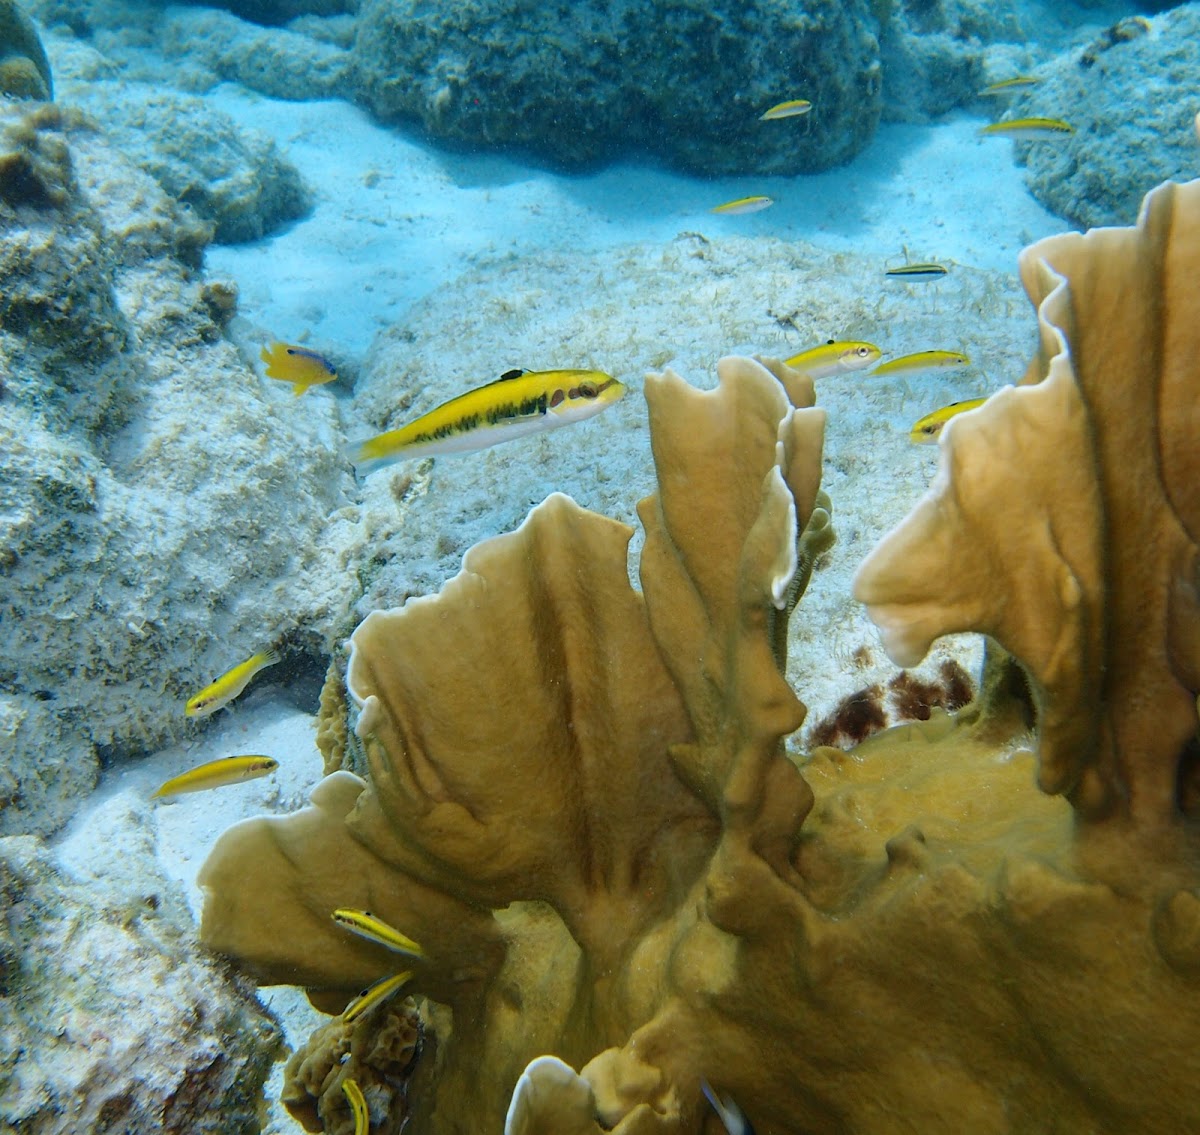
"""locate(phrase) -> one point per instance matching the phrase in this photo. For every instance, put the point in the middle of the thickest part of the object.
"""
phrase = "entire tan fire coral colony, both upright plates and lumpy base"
(579, 803)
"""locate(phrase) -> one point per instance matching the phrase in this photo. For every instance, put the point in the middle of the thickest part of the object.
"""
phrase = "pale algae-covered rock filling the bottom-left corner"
(111, 1018)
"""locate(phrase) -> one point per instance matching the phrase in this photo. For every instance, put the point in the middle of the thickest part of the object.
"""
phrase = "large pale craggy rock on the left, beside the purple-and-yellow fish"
(134, 440)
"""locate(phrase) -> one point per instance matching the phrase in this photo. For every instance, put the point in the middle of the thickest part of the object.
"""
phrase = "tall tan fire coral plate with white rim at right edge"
(1066, 517)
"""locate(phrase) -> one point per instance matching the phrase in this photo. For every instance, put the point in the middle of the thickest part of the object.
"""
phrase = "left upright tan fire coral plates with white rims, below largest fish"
(523, 818)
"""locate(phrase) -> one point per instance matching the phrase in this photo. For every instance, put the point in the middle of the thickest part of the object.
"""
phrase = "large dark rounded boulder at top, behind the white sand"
(579, 85)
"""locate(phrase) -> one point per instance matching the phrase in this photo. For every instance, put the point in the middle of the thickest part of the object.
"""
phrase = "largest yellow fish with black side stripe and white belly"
(518, 404)
